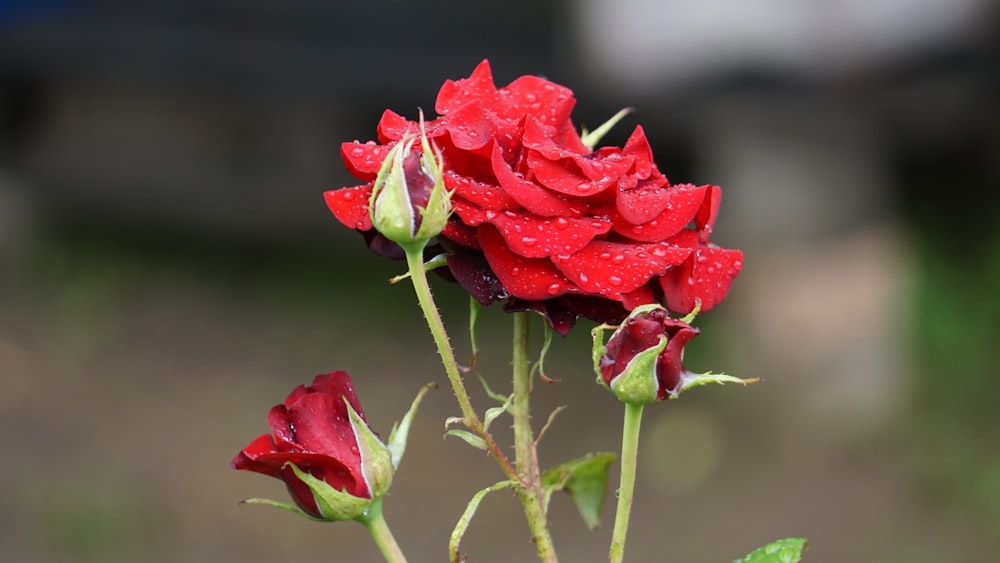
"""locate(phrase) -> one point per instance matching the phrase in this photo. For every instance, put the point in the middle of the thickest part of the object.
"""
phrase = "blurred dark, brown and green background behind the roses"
(168, 271)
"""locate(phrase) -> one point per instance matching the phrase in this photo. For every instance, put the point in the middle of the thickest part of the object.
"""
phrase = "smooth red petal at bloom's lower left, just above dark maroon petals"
(527, 278)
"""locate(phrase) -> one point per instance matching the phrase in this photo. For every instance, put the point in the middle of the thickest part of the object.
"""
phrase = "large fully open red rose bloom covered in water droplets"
(543, 222)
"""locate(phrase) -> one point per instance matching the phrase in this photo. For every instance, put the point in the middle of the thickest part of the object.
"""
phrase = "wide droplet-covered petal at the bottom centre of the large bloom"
(609, 268)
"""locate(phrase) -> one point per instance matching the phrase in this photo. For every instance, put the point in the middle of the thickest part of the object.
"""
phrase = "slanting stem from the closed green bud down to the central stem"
(418, 275)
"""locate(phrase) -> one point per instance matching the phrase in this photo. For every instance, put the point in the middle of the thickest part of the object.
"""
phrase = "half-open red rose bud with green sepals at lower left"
(323, 449)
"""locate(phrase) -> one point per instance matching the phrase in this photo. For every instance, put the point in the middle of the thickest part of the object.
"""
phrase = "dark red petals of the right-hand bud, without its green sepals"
(645, 331)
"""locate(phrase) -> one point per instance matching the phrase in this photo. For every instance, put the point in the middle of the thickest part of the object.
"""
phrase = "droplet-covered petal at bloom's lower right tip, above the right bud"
(705, 275)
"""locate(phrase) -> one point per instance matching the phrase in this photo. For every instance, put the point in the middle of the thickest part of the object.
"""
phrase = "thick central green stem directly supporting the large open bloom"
(526, 459)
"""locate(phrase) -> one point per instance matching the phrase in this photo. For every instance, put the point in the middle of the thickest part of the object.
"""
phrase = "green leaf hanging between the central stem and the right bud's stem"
(586, 480)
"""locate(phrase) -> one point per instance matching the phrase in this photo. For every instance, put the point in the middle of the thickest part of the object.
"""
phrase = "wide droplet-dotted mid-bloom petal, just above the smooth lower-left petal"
(537, 237)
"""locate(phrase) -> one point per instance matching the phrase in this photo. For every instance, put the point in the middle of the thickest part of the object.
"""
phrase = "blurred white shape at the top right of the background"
(649, 43)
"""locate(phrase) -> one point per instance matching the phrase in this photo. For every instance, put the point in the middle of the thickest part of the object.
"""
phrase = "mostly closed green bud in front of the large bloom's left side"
(409, 203)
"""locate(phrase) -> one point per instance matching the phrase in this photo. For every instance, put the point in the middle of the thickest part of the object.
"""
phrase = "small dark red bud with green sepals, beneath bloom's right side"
(643, 360)
